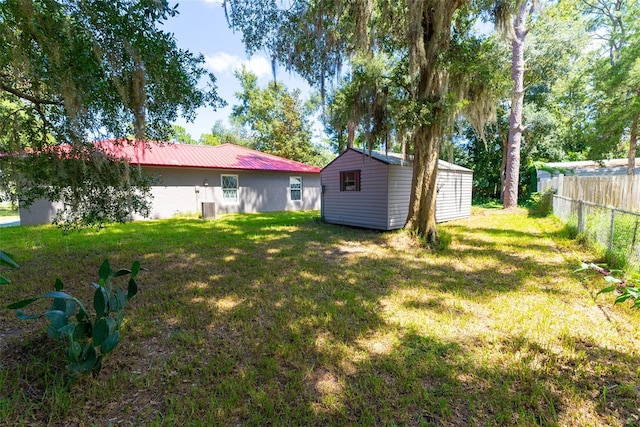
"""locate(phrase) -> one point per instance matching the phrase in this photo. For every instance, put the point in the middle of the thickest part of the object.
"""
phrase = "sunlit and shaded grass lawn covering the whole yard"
(279, 319)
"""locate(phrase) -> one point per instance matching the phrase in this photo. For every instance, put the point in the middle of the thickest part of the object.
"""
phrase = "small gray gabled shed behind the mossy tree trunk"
(373, 191)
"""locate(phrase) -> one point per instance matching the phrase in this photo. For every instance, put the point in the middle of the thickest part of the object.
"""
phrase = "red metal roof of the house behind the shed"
(225, 156)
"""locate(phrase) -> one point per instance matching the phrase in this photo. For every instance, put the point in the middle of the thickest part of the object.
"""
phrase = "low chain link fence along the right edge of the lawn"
(615, 232)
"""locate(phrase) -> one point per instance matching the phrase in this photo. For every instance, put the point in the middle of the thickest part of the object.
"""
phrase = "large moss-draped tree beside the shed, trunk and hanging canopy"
(316, 38)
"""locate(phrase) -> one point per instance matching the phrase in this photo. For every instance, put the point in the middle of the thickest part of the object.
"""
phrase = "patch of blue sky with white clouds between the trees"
(201, 27)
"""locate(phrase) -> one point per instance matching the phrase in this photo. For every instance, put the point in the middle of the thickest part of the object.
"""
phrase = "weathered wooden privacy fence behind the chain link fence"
(621, 191)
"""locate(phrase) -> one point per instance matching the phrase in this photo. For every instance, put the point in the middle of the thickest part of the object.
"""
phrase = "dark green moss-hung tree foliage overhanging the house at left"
(77, 71)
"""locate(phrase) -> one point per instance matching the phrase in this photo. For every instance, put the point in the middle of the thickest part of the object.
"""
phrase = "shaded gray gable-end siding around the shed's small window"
(364, 208)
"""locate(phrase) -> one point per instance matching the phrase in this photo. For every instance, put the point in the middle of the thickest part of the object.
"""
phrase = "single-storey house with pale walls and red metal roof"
(210, 180)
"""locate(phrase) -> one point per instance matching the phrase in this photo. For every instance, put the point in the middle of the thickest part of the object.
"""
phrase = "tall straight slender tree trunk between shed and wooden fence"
(512, 171)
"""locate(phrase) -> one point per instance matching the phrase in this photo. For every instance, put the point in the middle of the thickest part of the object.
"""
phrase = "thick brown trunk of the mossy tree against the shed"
(429, 35)
